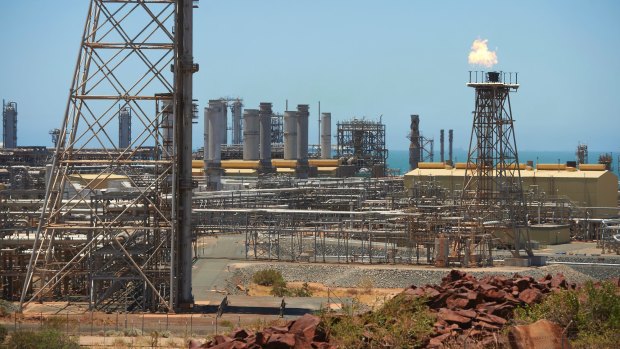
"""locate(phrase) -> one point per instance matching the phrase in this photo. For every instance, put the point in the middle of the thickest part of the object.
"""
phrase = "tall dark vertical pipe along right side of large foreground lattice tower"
(184, 68)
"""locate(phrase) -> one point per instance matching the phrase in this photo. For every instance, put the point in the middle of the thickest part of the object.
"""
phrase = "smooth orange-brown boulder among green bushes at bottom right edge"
(541, 334)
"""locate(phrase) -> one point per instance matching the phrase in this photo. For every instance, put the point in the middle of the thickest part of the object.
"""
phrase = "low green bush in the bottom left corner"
(44, 339)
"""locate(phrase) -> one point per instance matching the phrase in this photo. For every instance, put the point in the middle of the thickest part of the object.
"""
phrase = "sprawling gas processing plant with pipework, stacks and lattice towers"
(113, 215)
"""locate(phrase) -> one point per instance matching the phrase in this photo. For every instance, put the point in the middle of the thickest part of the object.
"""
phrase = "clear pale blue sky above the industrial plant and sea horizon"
(359, 58)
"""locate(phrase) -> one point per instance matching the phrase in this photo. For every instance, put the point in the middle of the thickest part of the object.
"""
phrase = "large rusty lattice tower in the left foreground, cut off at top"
(115, 229)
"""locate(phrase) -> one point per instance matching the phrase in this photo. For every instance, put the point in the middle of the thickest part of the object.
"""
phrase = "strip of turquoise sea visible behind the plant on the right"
(399, 159)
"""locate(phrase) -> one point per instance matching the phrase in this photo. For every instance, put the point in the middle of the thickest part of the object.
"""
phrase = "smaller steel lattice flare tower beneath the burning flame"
(492, 190)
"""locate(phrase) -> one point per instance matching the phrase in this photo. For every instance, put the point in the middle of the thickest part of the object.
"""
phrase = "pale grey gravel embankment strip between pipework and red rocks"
(385, 277)
